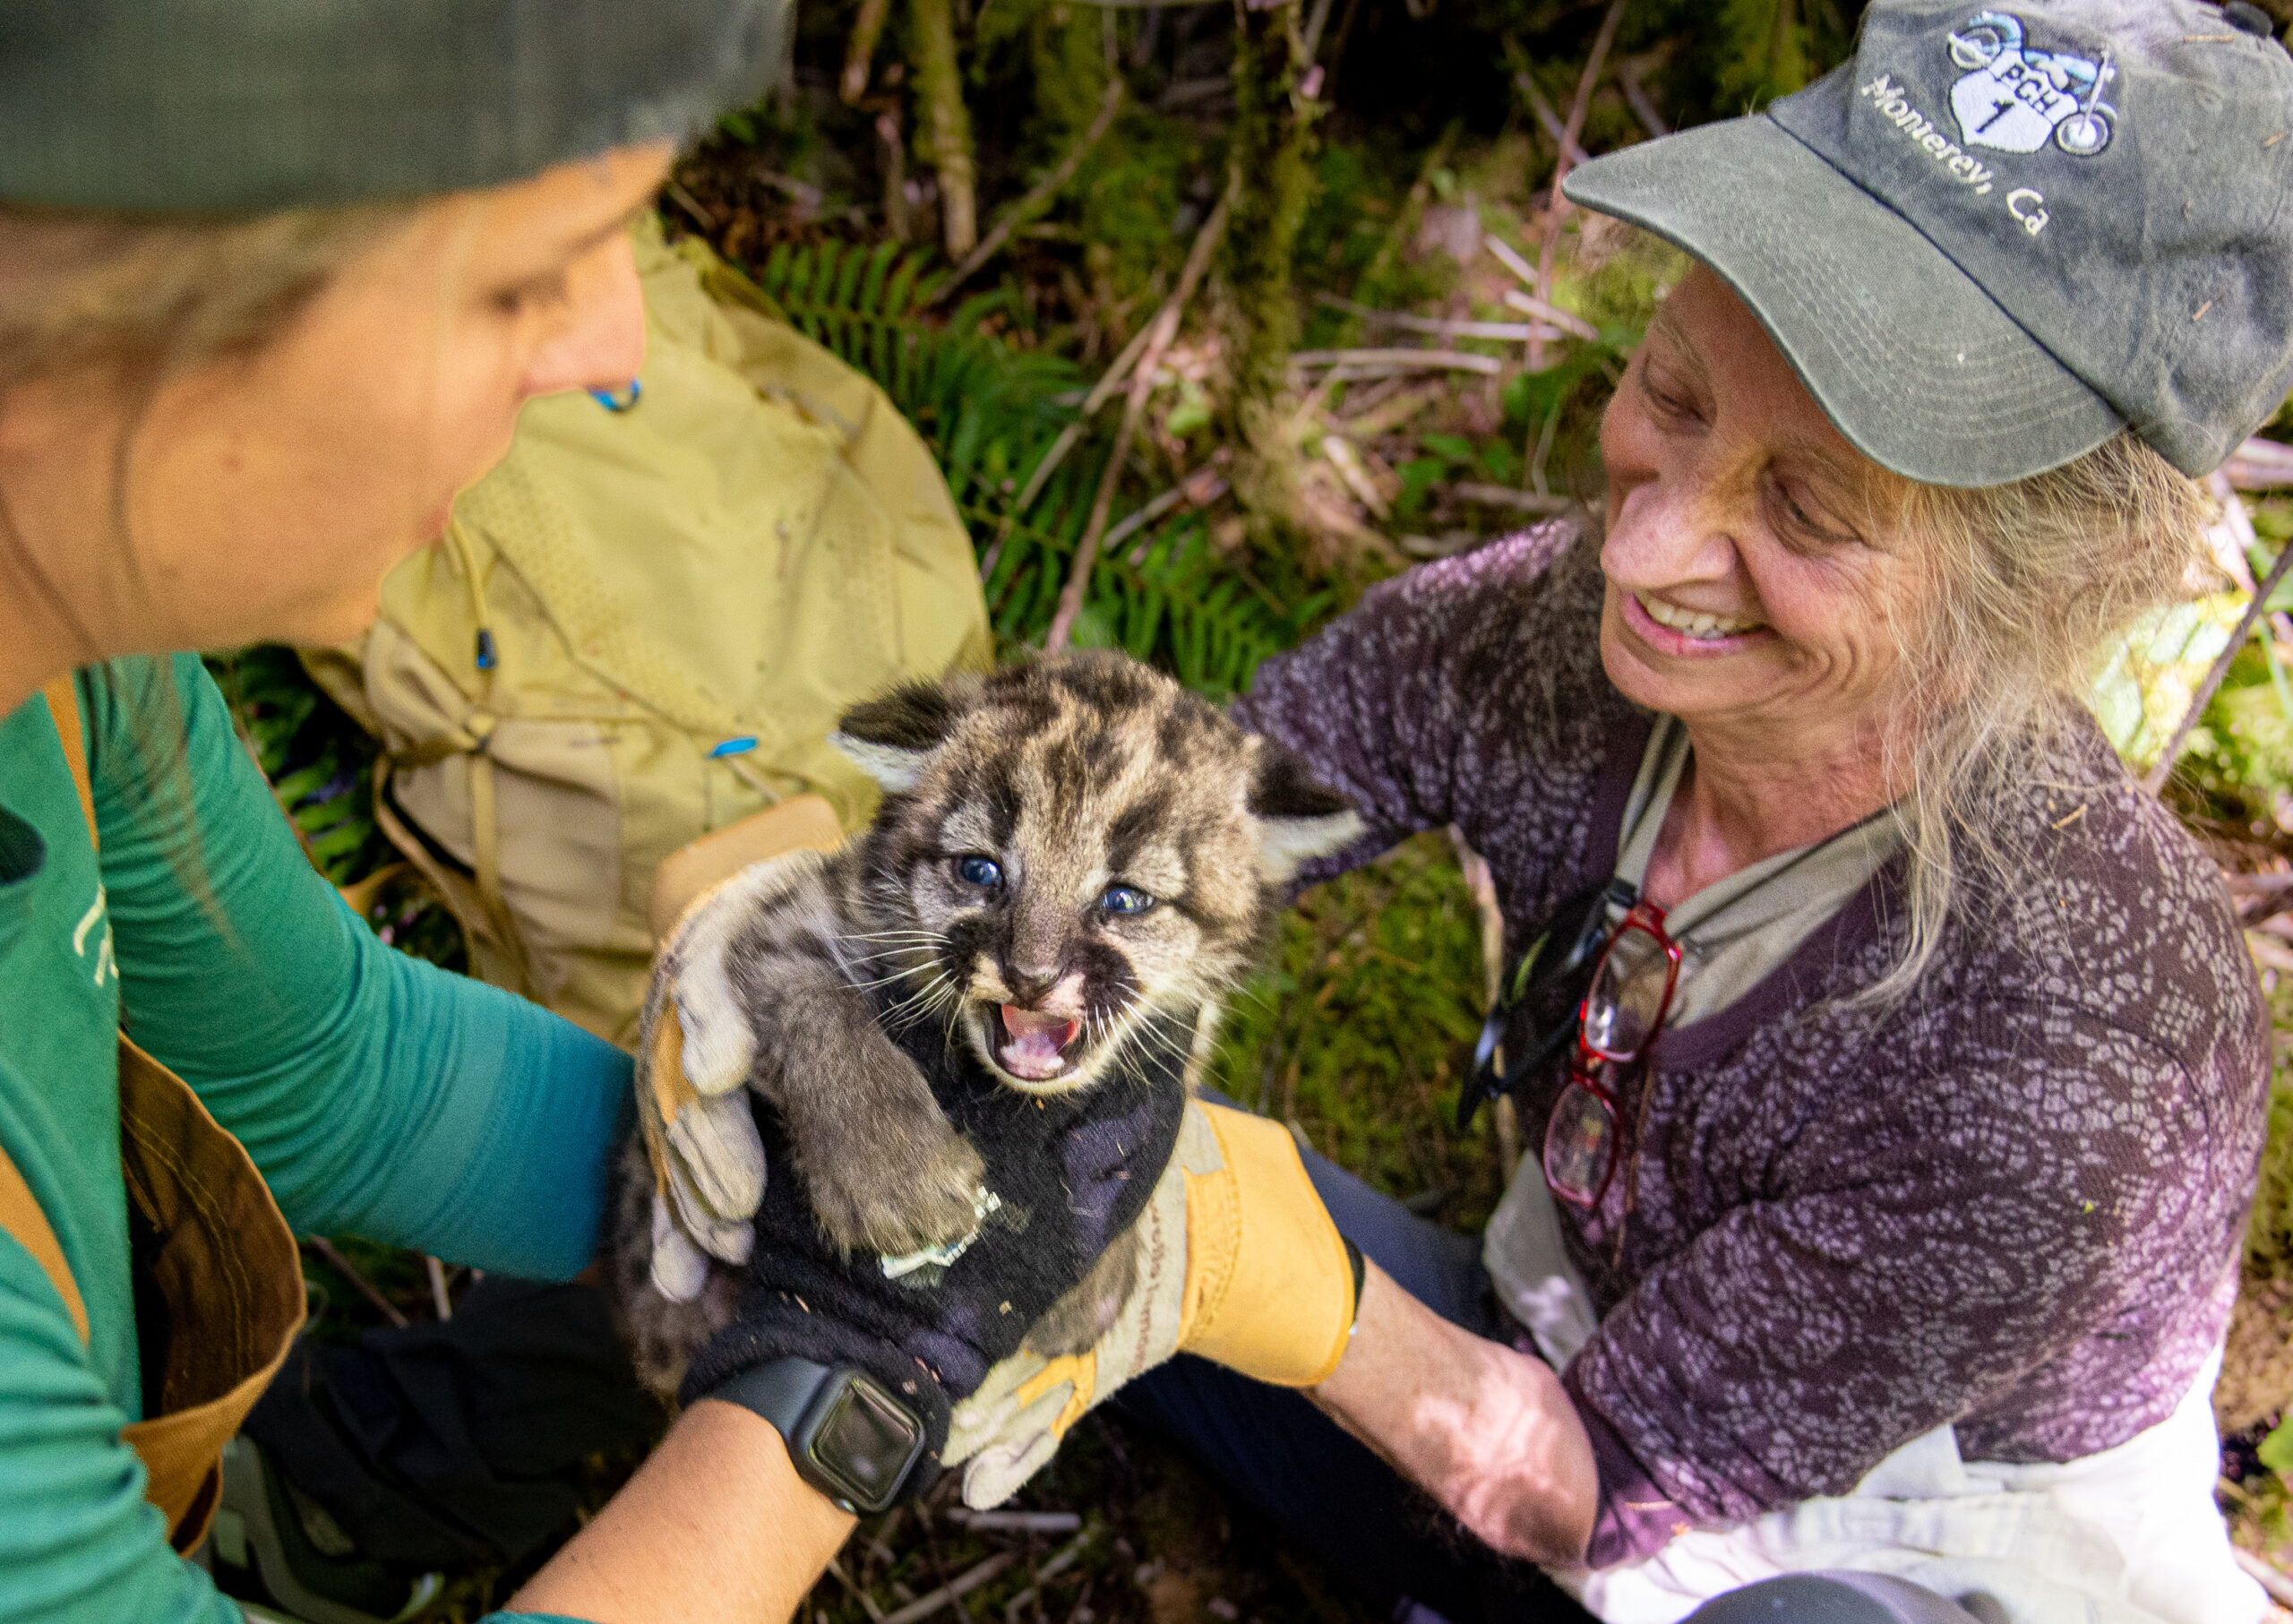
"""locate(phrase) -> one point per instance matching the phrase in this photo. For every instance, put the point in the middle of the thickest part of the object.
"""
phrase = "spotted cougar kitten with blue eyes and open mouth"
(1074, 864)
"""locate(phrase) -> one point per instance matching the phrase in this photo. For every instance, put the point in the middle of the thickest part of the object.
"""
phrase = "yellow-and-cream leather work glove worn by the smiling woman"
(1239, 1265)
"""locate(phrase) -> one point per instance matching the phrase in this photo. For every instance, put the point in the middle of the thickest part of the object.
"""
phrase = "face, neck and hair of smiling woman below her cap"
(1845, 639)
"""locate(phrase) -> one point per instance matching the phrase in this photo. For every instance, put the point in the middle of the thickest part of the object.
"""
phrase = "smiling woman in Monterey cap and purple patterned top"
(1888, 1178)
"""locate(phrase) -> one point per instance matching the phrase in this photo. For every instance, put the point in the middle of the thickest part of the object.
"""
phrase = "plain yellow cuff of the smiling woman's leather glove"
(1269, 1286)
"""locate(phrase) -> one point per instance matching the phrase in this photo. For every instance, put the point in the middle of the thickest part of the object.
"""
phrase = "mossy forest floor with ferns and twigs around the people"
(1453, 345)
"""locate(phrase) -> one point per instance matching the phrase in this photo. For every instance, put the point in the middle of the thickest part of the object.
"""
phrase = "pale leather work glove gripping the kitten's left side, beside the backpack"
(691, 1104)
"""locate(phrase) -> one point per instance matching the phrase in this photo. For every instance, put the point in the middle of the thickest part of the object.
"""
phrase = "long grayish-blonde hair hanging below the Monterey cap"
(2026, 586)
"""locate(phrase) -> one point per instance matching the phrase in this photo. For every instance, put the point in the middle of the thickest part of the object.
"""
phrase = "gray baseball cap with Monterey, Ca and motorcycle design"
(2003, 235)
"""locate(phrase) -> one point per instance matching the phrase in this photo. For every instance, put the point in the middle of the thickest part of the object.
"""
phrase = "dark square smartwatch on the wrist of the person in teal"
(845, 1430)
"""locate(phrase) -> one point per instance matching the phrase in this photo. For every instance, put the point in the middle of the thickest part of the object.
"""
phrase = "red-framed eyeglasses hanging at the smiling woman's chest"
(1622, 1013)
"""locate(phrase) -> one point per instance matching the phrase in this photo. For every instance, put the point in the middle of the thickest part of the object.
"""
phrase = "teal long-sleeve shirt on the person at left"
(375, 1093)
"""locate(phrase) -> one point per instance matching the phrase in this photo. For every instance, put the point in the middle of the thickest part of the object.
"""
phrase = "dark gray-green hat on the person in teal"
(242, 107)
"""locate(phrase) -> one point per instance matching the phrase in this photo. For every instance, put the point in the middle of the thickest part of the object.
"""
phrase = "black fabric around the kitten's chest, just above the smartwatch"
(1072, 1176)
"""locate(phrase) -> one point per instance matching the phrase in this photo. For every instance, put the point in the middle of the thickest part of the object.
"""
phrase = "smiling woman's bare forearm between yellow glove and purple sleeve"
(1485, 1430)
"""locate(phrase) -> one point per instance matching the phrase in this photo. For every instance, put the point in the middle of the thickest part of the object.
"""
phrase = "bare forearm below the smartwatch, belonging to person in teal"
(714, 1529)
